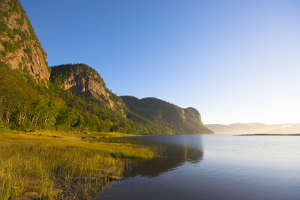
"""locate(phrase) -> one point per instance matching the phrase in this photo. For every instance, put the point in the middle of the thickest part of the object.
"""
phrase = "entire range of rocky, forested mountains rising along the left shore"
(73, 96)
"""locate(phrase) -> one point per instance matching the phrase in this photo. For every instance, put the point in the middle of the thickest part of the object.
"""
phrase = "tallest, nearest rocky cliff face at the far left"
(19, 46)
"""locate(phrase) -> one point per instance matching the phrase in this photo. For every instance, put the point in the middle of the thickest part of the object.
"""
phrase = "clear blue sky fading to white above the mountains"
(233, 60)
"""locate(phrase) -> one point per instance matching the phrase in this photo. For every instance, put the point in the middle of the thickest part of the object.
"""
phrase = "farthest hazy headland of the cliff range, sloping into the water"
(158, 111)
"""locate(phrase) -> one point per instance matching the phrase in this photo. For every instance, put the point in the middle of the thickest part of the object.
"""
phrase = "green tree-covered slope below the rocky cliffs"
(27, 105)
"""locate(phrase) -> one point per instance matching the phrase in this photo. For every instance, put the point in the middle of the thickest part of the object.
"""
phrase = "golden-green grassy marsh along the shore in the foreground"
(62, 165)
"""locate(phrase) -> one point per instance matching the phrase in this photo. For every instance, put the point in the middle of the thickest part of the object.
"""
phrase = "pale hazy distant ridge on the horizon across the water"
(255, 128)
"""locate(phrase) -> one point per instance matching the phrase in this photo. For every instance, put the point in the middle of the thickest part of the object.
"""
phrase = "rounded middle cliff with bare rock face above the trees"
(81, 79)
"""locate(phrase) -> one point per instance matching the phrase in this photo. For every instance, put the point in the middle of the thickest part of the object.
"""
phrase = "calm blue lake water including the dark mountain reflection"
(214, 167)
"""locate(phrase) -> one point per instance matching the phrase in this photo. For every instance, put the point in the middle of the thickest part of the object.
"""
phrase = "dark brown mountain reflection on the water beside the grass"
(171, 152)
